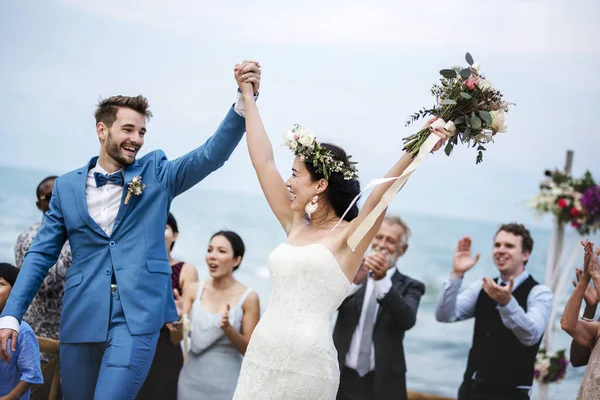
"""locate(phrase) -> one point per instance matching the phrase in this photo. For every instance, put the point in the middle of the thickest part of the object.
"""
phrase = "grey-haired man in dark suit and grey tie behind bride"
(369, 343)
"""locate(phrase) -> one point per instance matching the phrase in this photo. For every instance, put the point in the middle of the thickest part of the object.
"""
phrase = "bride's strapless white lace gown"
(291, 355)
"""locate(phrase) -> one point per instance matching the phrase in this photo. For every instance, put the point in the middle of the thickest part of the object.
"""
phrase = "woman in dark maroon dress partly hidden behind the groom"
(161, 382)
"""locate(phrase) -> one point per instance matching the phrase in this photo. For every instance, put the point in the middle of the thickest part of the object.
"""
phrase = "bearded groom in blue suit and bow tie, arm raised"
(113, 211)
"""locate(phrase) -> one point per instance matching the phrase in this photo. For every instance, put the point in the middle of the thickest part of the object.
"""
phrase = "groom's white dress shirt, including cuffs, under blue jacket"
(104, 202)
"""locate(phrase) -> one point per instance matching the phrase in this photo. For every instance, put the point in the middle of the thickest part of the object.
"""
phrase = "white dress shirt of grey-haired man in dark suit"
(381, 287)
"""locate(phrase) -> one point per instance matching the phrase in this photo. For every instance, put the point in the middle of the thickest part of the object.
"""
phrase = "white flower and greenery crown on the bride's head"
(304, 144)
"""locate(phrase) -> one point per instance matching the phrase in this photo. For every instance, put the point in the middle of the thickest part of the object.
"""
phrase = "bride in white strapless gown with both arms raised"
(291, 354)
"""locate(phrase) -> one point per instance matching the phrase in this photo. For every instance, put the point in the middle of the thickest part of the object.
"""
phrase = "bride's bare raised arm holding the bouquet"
(380, 189)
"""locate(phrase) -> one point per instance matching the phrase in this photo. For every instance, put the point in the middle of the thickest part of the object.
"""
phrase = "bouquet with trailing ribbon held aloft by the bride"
(467, 106)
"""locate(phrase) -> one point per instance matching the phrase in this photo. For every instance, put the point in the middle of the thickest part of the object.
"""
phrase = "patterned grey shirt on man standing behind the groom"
(43, 314)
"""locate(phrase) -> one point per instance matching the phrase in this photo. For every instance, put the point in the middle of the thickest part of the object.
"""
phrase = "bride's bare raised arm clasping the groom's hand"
(261, 152)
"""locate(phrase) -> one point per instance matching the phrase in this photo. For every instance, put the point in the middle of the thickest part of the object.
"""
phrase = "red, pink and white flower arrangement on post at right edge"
(572, 201)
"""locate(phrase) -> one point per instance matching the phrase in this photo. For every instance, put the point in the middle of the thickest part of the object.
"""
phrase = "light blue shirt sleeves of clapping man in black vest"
(528, 326)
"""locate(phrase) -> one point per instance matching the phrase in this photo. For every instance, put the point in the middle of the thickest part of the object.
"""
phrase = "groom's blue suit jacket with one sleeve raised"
(135, 250)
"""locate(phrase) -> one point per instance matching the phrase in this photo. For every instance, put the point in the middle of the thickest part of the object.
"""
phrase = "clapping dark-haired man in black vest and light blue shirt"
(511, 314)
